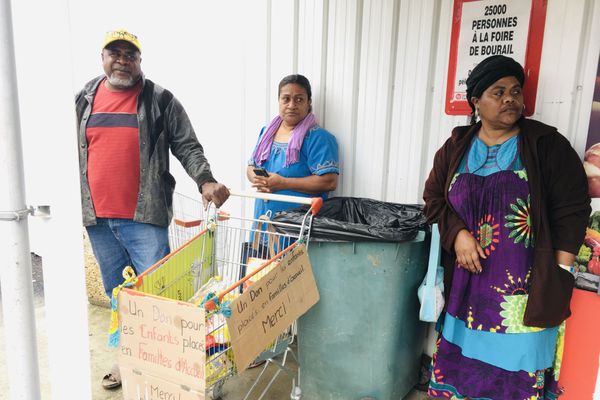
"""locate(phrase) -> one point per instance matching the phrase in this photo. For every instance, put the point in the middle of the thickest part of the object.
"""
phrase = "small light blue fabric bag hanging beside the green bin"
(431, 291)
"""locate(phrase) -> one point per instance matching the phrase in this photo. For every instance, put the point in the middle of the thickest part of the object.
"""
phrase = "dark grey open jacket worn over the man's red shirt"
(163, 125)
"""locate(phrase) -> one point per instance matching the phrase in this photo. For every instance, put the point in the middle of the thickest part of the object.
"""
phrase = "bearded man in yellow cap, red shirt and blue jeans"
(126, 126)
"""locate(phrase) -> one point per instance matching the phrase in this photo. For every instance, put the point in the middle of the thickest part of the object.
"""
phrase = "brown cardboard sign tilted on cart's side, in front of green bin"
(270, 305)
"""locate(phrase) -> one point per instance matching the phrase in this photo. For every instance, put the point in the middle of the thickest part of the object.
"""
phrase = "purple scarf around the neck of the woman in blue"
(263, 150)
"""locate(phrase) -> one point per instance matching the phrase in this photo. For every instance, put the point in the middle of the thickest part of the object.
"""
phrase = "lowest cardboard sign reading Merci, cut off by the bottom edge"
(141, 386)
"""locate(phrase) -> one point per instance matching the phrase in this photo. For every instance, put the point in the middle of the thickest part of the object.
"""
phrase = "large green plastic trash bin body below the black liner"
(363, 339)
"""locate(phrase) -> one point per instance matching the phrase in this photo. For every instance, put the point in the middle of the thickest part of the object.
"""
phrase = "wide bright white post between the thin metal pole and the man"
(52, 175)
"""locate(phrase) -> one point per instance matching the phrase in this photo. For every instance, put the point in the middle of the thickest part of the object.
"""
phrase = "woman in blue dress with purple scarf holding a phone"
(301, 158)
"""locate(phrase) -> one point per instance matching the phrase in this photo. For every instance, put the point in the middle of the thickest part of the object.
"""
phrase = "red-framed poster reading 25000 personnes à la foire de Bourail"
(482, 28)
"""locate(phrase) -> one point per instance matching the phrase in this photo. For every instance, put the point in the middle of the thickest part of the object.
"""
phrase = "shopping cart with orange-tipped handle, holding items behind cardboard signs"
(213, 267)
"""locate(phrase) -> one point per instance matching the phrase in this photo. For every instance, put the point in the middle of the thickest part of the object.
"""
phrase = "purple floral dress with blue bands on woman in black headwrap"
(484, 351)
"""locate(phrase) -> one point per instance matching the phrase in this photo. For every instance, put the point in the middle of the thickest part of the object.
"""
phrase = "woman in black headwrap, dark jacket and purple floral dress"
(510, 197)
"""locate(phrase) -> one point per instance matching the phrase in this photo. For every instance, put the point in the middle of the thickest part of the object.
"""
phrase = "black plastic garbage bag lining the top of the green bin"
(358, 220)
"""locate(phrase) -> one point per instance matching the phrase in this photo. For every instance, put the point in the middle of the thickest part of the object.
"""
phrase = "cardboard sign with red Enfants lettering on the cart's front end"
(163, 338)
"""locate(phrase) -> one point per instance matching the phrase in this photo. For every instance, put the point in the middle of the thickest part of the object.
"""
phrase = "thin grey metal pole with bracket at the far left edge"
(15, 258)
